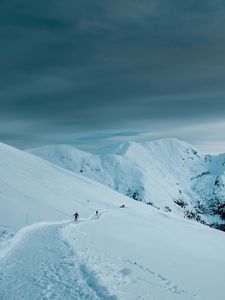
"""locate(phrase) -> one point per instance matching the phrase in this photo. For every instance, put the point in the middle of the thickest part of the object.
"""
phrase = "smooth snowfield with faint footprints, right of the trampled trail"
(145, 255)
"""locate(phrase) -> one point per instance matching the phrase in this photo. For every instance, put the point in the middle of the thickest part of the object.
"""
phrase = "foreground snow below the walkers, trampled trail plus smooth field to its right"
(129, 253)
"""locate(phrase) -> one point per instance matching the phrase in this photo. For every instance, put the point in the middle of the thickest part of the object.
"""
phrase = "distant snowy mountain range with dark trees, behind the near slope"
(169, 174)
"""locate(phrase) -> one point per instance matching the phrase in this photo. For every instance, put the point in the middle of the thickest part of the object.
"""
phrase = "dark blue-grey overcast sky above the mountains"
(90, 73)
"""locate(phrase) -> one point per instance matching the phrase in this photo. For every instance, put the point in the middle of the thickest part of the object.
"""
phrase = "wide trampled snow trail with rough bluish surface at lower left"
(44, 266)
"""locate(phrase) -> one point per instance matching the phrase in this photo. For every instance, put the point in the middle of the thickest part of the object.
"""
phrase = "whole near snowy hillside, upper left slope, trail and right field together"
(135, 252)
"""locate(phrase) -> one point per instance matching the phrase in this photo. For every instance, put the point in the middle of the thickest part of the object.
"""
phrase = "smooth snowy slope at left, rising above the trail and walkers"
(32, 189)
